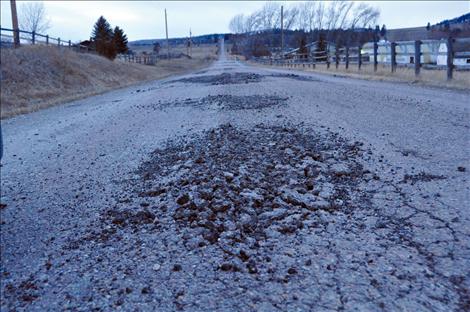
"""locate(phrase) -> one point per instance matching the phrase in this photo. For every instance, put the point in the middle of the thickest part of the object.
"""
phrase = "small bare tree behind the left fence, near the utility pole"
(33, 17)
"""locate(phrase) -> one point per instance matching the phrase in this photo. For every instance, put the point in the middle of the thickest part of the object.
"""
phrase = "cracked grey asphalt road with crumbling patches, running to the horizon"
(240, 189)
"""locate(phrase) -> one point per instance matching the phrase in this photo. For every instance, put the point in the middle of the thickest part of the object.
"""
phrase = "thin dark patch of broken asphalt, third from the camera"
(222, 79)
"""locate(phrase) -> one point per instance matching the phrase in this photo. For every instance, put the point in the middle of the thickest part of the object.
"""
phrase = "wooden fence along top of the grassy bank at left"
(7, 37)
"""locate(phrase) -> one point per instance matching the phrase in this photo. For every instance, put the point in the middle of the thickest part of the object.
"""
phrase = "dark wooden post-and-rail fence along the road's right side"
(349, 55)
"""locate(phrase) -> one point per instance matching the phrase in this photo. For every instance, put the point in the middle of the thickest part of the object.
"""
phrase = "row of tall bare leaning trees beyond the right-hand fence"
(342, 22)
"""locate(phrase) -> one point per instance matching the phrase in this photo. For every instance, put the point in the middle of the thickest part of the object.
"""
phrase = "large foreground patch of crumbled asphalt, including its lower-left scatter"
(240, 190)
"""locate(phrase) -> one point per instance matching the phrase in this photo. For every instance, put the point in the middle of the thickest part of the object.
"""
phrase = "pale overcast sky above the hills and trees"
(145, 19)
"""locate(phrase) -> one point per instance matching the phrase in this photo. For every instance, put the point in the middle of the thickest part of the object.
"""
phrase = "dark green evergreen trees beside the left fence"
(107, 41)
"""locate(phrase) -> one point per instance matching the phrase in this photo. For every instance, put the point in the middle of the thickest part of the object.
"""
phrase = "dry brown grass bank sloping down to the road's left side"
(35, 77)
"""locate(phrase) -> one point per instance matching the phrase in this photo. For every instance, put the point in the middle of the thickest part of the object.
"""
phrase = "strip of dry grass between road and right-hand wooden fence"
(436, 78)
